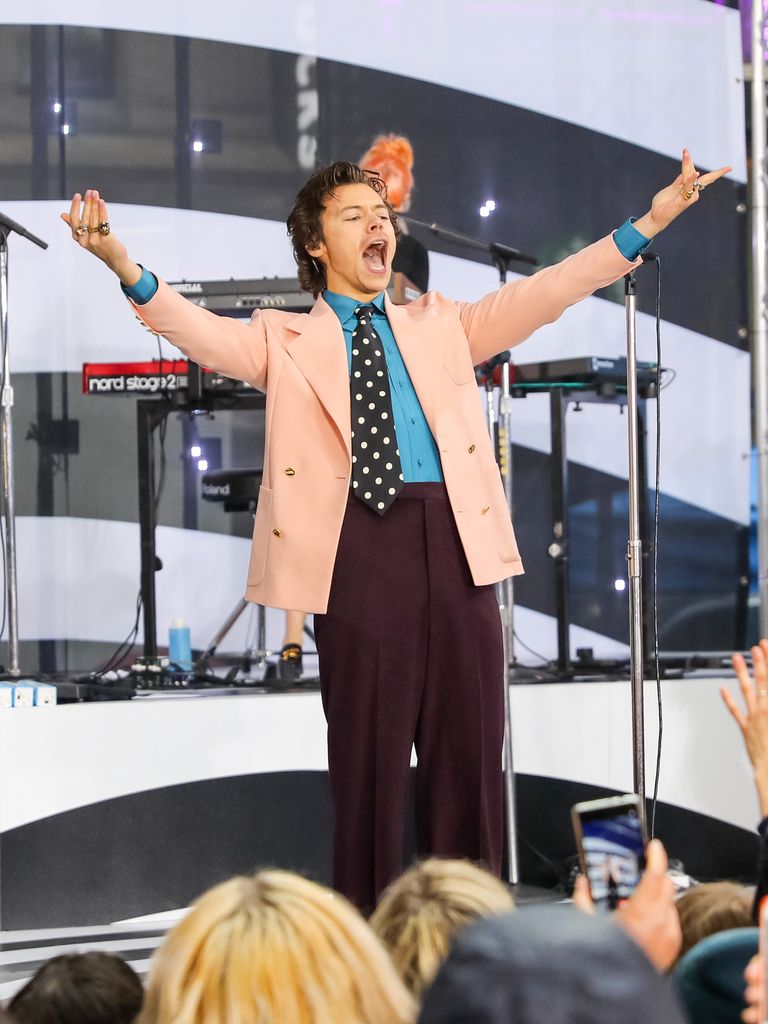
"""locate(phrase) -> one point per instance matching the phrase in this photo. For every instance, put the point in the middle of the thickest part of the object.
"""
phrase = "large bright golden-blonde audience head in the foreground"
(274, 949)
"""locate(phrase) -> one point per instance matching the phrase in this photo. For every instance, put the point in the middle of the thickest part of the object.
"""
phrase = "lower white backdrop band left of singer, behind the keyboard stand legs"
(78, 580)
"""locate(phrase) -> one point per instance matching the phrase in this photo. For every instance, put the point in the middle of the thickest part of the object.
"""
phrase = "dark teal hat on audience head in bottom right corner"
(710, 979)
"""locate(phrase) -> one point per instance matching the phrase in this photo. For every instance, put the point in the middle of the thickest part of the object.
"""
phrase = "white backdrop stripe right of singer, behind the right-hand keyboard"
(705, 411)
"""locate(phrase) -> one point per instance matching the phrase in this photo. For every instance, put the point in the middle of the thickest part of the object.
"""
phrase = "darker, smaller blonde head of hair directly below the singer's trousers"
(421, 914)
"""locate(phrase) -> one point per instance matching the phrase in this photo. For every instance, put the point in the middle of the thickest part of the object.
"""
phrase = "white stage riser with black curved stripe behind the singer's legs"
(101, 803)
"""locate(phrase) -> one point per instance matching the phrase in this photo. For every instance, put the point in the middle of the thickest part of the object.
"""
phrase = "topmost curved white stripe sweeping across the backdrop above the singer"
(628, 70)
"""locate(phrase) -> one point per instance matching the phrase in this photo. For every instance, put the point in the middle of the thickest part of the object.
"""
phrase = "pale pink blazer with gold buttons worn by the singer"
(300, 360)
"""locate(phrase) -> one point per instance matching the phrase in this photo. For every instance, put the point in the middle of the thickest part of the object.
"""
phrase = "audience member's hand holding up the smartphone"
(649, 916)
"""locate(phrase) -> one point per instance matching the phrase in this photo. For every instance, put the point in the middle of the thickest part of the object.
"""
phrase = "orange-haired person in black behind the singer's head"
(392, 157)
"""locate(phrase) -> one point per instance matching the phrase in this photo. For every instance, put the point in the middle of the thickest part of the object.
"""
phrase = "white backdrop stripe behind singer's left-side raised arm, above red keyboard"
(50, 327)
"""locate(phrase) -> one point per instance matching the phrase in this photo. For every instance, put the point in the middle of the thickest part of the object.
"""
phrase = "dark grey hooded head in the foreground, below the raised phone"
(548, 964)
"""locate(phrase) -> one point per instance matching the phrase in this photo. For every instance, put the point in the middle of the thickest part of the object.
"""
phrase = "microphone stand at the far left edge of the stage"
(7, 442)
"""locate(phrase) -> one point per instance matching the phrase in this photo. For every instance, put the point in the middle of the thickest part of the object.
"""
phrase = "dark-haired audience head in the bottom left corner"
(79, 989)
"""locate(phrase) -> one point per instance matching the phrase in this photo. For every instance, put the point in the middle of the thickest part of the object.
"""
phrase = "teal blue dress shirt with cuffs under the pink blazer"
(419, 457)
